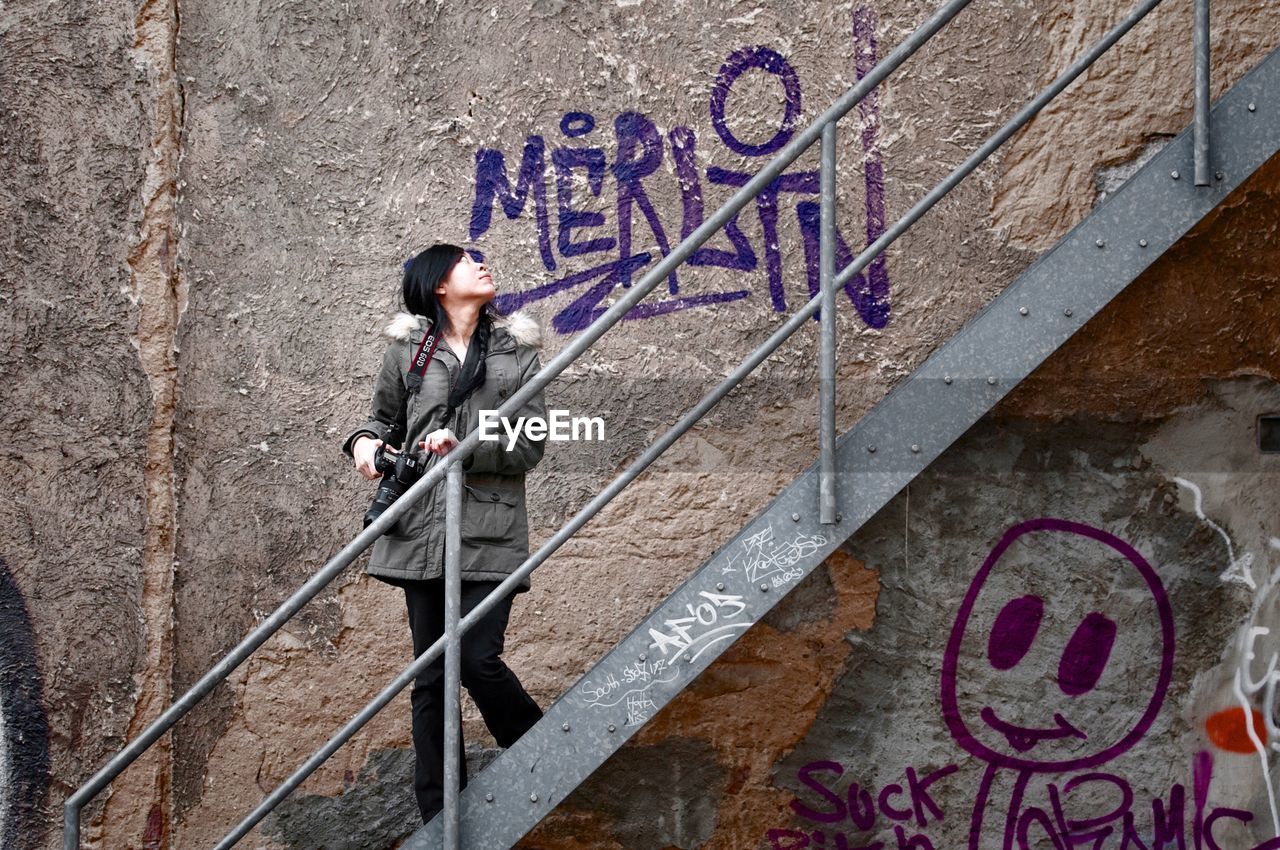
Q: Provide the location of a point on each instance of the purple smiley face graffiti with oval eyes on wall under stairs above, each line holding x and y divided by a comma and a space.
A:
1064, 687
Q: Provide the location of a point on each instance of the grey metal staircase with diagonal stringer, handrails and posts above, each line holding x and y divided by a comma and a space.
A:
854, 477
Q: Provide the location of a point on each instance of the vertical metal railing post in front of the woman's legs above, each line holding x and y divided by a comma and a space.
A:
452, 652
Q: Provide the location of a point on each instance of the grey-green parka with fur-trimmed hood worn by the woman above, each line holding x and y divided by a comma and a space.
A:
495, 522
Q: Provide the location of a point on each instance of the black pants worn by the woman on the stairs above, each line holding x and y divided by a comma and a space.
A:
508, 710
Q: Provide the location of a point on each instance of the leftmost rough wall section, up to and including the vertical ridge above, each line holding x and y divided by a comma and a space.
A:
88, 134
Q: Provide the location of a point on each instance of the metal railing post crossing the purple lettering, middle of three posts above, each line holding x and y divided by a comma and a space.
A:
828, 360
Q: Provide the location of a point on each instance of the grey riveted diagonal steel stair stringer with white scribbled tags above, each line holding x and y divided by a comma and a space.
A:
881, 455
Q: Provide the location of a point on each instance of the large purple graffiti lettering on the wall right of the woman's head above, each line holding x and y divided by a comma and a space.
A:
583, 230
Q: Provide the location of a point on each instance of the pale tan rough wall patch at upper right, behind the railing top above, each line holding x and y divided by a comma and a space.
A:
1139, 93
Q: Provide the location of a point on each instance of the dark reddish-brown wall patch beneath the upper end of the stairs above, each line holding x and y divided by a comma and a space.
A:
1208, 309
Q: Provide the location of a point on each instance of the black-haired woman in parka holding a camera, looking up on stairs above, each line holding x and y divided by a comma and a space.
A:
481, 360
